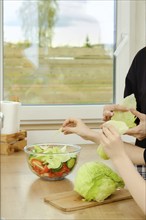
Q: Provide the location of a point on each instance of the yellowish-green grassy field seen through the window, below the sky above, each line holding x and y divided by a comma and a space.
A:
59, 75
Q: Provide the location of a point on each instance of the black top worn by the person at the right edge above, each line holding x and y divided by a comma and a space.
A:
135, 82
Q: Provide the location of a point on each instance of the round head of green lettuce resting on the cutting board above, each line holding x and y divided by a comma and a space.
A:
96, 181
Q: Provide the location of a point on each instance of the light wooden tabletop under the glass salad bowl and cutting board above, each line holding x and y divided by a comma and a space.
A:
22, 194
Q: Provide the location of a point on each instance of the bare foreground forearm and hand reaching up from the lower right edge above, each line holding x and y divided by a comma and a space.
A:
117, 151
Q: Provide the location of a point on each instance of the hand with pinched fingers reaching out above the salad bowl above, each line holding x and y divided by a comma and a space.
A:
77, 126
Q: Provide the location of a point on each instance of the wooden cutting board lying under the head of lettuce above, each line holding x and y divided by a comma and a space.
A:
72, 201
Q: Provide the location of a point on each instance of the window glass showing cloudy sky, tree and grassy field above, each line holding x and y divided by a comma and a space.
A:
59, 51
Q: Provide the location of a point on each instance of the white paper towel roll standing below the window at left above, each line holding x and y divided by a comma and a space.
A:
11, 120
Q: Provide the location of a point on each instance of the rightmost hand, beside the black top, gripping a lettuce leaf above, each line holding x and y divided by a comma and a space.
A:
139, 131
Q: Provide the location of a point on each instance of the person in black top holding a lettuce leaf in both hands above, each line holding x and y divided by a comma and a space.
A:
135, 83
